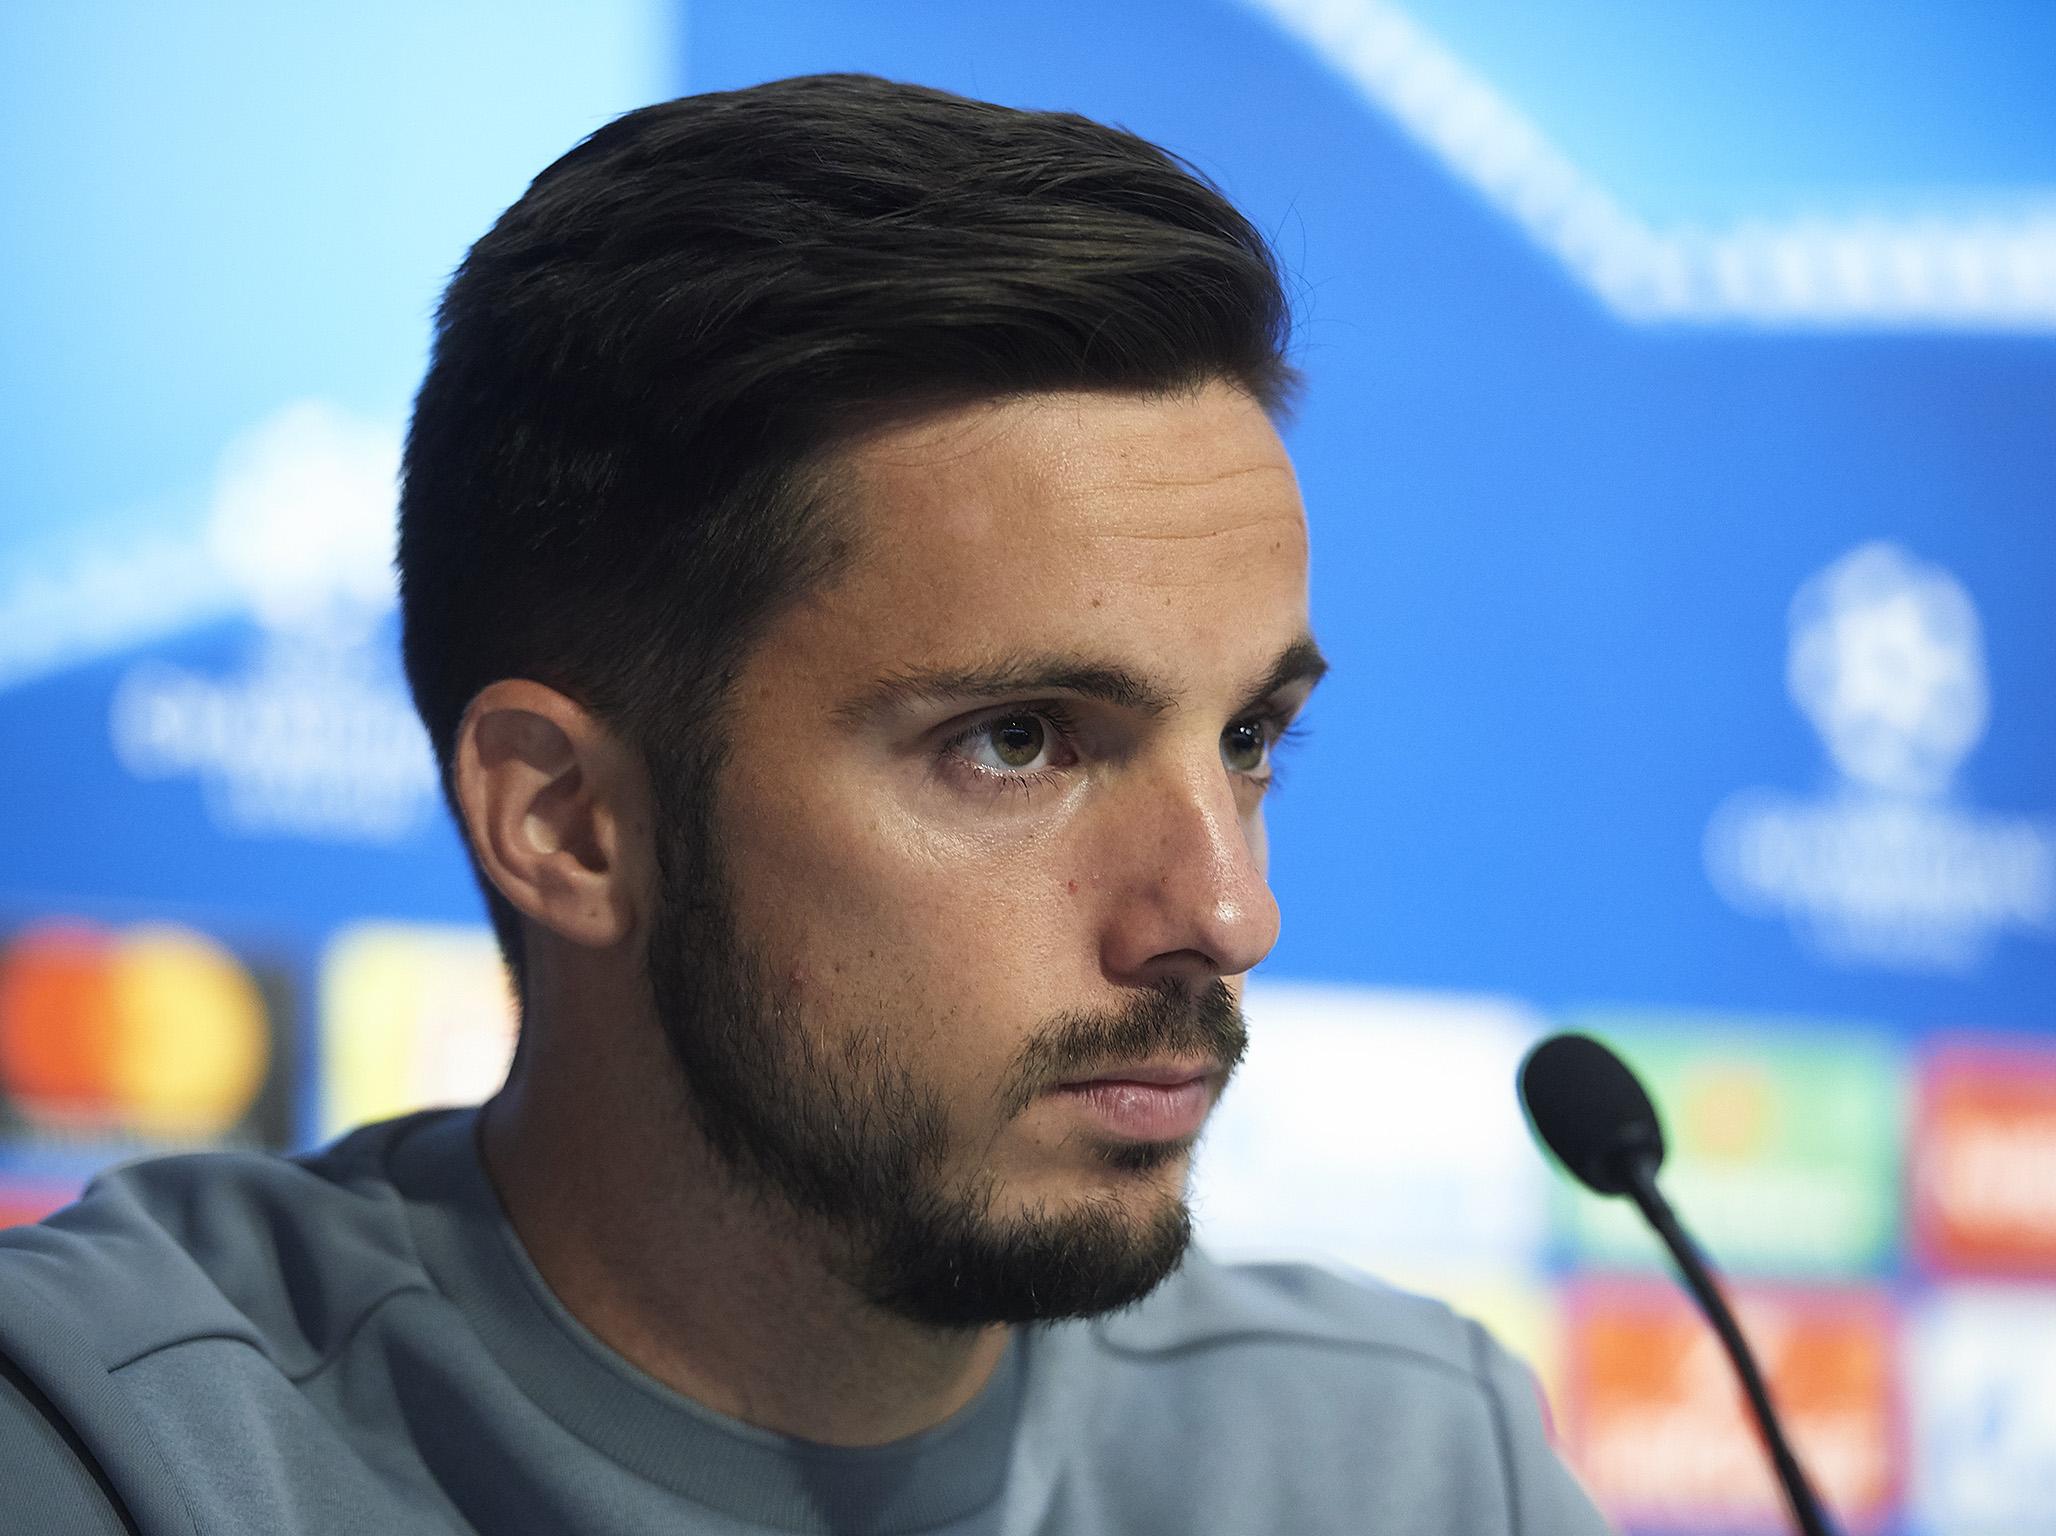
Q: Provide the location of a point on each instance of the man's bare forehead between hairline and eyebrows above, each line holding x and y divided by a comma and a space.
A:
1074, 517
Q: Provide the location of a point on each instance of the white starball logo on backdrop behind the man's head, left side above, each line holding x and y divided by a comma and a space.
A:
314, 735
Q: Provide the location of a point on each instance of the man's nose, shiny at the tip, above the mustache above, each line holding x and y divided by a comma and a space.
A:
1191, 898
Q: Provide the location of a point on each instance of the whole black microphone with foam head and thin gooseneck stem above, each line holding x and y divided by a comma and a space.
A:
1596, 1118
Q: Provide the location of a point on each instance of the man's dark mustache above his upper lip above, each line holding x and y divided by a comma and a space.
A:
1169, 1021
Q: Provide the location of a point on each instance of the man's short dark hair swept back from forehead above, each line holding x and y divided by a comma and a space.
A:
622, 455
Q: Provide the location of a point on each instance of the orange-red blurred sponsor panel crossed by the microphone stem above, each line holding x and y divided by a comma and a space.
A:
1658, 1426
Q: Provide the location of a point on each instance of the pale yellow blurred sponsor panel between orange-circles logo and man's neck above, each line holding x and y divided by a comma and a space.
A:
412, 1017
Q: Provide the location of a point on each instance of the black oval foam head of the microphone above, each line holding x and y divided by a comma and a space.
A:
1590, 1111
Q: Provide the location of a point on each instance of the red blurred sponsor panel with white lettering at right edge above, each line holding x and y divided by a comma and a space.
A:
1985, 1161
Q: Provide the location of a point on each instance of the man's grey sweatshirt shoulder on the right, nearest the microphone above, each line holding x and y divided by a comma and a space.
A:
1307, 1393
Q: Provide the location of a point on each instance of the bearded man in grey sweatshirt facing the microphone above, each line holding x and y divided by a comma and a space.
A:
856, 589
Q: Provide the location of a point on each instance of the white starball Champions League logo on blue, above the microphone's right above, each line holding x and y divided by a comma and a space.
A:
1888, 869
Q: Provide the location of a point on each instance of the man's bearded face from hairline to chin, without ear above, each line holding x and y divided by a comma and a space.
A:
990, 858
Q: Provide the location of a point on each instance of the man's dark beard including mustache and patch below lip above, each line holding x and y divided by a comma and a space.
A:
852, 1138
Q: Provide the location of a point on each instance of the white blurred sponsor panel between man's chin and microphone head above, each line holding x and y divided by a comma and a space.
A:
1376, 1128
